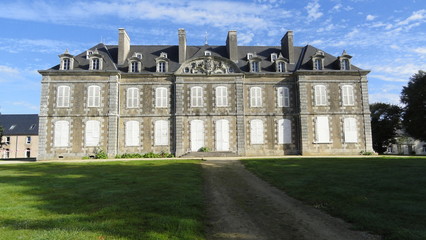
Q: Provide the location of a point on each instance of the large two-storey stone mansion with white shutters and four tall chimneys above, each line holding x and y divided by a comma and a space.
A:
240, 99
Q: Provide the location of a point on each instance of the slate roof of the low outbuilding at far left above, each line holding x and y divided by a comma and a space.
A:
24, 124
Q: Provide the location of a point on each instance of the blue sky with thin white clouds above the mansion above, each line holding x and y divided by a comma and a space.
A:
387, 37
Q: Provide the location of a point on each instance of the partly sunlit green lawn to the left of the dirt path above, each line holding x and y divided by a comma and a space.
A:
114, 200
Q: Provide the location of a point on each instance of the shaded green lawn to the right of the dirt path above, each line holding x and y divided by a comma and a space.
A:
386, 196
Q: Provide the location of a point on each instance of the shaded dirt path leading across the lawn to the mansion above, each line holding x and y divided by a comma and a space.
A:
241, 206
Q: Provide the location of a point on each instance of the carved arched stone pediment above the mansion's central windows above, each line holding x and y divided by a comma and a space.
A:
208, 65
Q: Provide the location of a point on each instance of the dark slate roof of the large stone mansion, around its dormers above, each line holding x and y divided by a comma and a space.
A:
151, 52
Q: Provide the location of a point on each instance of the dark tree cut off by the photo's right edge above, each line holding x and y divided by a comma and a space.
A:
414, 98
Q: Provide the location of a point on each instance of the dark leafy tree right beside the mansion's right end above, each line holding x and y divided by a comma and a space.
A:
385, 121
